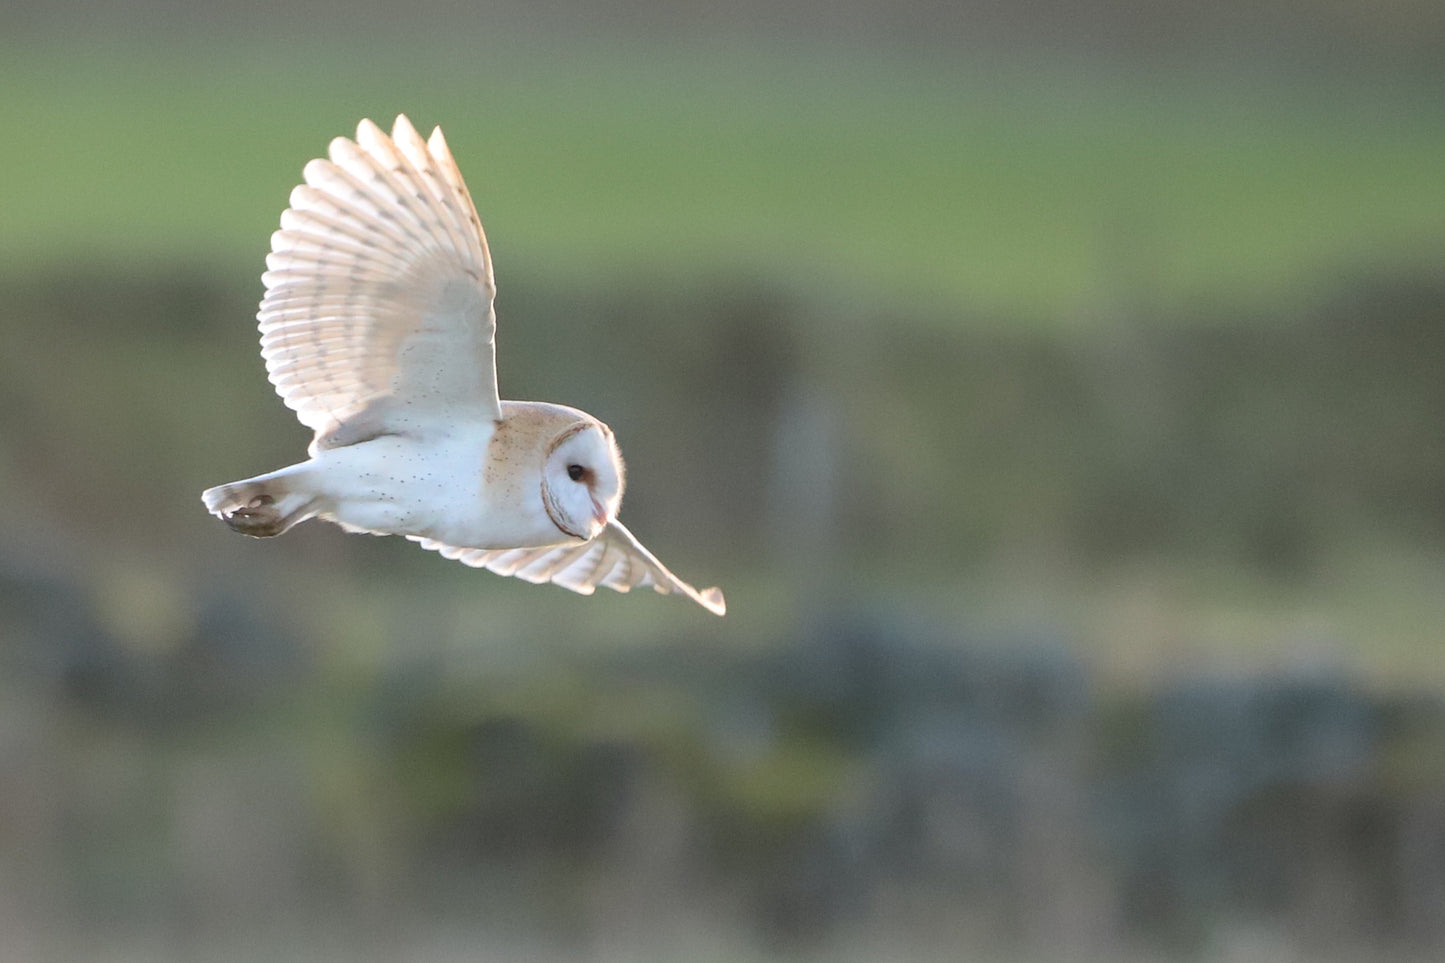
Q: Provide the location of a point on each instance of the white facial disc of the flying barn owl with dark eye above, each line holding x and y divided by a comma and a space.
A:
583, 479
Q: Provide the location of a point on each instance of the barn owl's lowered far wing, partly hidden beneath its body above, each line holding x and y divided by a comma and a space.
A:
615, 559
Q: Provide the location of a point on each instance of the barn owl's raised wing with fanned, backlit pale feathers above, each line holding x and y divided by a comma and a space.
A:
379, 288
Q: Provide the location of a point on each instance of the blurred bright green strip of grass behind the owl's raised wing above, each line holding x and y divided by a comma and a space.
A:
995, 186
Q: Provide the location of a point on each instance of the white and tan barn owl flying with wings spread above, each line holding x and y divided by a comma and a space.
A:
378, 330
